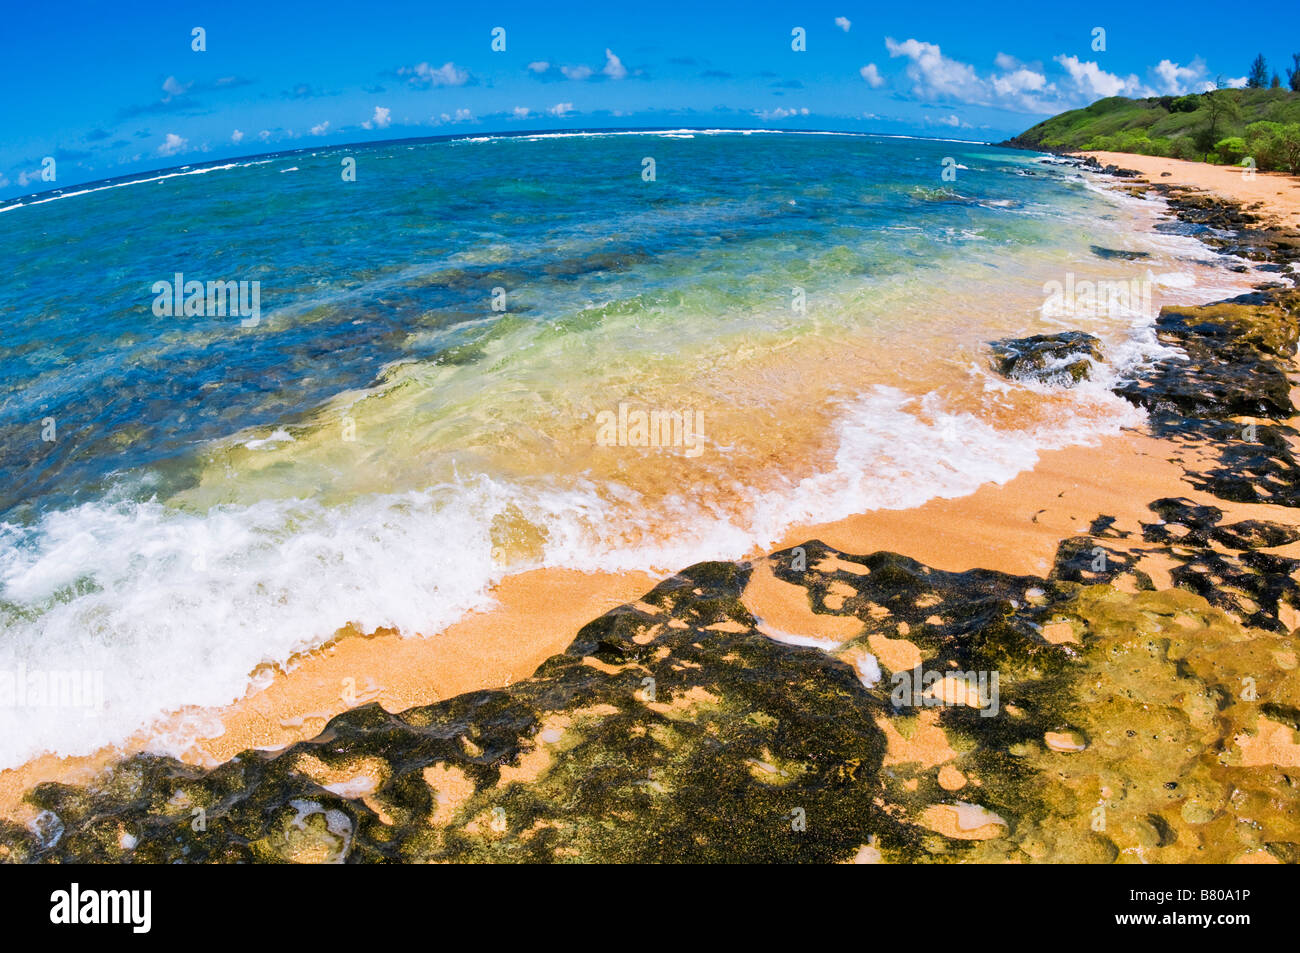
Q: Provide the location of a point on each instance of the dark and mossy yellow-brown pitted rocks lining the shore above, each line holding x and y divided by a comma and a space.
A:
1130, 724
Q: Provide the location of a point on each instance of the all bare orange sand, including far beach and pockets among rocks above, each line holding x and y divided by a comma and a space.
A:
1017, 529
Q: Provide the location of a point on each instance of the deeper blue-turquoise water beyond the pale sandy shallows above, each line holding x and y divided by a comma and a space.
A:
401, 265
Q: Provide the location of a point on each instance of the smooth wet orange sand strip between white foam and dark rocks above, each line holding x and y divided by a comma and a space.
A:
1015, 529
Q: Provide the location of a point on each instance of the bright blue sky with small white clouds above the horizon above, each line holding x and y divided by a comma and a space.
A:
110, 90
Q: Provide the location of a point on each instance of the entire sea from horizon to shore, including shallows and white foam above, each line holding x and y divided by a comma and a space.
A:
384, 445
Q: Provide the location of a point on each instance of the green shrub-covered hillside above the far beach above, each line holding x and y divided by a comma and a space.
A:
1220, 127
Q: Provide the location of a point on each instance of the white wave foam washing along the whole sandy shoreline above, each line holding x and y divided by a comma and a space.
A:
177, 609
